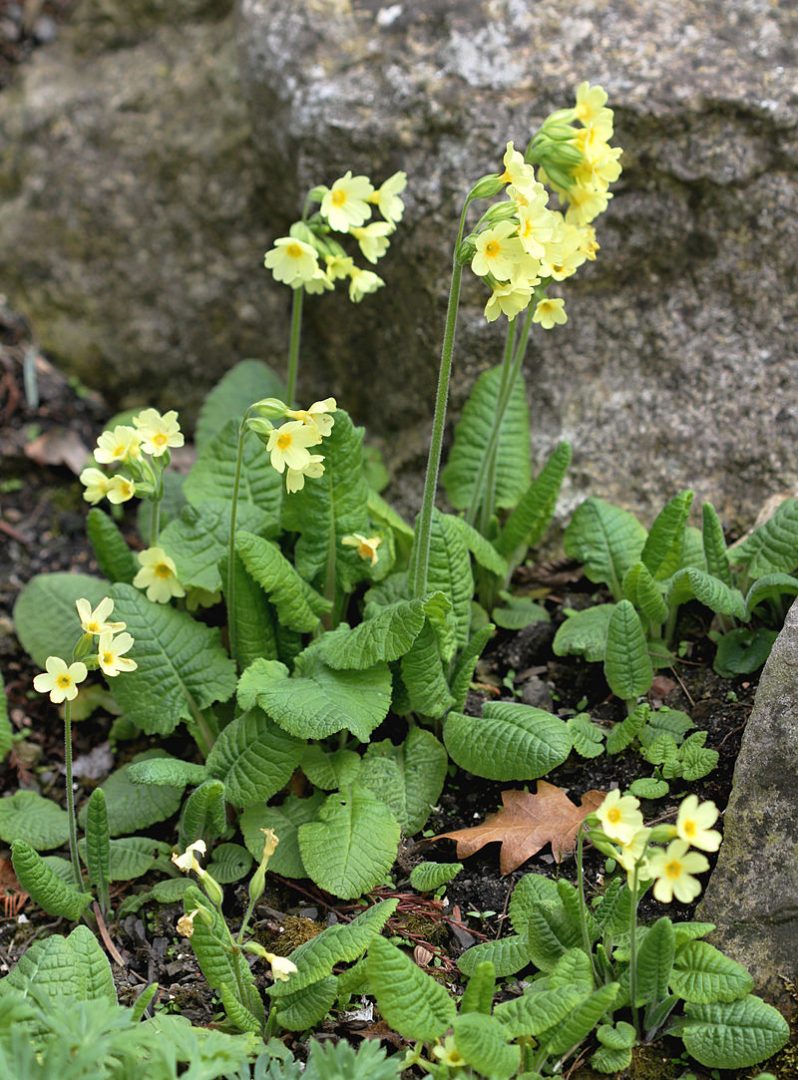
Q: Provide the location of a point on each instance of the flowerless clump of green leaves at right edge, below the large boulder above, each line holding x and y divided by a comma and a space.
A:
651, 575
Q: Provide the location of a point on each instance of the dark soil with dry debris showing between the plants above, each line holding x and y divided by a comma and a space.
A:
43, 529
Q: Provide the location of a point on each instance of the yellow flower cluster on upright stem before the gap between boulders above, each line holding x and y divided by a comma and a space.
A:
312, 259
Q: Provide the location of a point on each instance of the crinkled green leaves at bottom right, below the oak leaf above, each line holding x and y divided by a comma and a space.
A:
685, 988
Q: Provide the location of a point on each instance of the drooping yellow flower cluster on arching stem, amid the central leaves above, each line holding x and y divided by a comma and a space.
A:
289, 445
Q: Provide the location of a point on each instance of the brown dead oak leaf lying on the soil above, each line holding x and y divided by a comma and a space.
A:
526, 823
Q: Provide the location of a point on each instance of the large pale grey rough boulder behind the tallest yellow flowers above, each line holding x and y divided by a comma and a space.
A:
678, 364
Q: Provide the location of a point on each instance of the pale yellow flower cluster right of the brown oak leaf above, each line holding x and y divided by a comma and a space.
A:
671, 869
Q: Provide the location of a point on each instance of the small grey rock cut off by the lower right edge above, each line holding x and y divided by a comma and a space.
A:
753, 893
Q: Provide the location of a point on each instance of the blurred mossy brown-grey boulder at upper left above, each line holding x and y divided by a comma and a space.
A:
130, 223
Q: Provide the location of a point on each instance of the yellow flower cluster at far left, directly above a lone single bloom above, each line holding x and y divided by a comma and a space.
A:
143, 450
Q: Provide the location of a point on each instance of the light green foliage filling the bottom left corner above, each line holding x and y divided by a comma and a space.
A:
60, 1018
